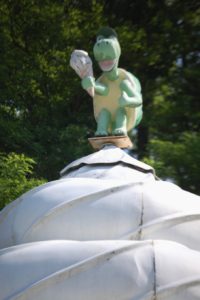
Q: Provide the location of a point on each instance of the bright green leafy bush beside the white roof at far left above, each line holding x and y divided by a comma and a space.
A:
15, 177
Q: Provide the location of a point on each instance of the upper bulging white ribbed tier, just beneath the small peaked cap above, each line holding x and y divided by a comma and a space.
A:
94, 209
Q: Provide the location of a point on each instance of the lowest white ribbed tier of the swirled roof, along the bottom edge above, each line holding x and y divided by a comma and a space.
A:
108, 270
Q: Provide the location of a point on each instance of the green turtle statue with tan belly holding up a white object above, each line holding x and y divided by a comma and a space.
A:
116, 94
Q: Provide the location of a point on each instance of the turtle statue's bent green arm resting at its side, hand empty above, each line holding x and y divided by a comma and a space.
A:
131, 95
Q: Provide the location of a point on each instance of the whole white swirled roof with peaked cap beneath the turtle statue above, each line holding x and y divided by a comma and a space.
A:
106, 200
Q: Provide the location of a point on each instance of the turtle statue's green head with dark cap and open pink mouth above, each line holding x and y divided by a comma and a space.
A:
107, 49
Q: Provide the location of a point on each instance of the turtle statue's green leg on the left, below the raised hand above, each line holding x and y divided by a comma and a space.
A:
103, 122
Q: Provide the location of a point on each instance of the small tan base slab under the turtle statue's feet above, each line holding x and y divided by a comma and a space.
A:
122, 141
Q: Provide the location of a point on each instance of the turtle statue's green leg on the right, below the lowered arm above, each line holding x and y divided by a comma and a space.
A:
120, 125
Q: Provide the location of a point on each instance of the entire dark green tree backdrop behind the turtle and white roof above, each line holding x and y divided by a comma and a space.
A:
45, 116
